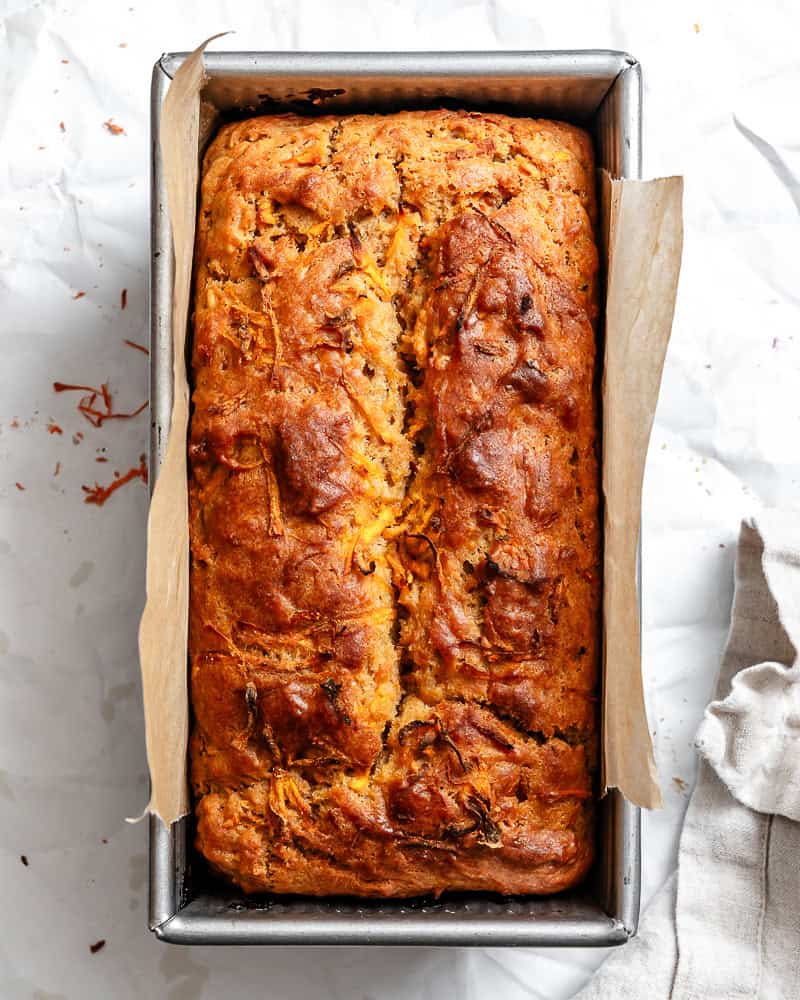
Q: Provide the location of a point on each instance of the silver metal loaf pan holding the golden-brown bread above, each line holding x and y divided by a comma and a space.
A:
599, 89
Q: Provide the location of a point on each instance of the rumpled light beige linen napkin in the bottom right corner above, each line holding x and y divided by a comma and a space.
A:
727, 924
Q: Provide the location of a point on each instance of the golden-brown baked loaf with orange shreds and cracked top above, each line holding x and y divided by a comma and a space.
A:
394, 505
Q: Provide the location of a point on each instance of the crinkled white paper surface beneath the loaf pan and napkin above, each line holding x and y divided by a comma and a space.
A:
721, 97
